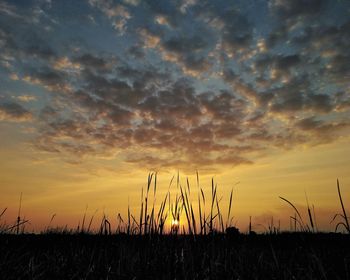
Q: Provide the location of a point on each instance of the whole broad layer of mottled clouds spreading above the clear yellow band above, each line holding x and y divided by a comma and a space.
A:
184, 83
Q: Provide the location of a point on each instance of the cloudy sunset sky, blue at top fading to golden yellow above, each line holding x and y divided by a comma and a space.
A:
96, 94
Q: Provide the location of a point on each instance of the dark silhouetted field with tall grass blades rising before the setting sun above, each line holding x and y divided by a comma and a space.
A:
204, 245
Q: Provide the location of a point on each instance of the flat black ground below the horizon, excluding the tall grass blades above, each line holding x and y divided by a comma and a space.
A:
283, 256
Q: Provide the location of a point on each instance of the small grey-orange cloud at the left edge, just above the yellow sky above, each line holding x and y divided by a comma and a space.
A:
14, 112
